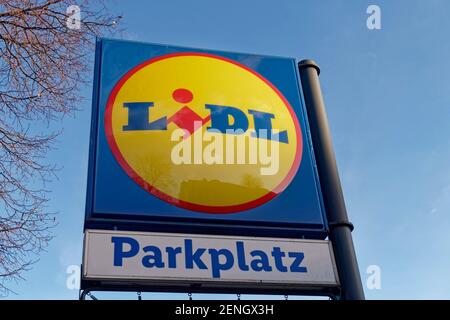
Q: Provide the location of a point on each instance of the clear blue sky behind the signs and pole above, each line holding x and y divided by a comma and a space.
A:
388, 102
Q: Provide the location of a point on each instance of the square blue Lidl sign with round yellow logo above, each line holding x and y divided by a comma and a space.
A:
200, 141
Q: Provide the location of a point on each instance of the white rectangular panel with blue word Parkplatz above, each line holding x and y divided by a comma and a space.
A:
121, 255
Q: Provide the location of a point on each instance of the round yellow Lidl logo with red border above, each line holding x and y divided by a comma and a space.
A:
203, 132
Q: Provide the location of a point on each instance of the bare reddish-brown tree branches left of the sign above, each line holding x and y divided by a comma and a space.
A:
43, 64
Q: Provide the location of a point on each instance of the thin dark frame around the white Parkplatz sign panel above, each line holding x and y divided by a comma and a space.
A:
134, 283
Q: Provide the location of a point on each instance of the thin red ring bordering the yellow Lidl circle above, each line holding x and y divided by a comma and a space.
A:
184, 204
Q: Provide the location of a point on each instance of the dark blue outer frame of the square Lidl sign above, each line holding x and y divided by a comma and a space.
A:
193, 225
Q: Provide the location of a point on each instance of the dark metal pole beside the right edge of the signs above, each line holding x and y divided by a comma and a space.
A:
339, 225
